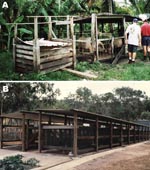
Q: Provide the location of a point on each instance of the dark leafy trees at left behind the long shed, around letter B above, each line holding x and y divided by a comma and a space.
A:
27, 96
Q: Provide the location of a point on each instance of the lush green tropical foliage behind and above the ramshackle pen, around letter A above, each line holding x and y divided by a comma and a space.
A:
18, 10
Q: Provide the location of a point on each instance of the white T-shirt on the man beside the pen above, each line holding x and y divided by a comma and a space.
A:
134, 31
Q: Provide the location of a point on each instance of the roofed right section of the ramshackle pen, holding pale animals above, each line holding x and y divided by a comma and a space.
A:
106, 33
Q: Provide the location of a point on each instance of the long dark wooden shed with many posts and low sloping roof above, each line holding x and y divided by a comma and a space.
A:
67, 130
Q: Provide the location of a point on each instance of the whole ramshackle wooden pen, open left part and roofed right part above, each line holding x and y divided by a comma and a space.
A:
99, 37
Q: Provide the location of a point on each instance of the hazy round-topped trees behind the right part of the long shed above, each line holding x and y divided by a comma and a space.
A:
124, 103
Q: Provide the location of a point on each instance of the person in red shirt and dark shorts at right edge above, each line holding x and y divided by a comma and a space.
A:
145, 33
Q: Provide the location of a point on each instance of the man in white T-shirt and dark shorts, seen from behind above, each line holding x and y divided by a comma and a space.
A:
133, 39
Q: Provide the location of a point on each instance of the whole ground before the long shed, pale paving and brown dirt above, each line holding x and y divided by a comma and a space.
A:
132, 157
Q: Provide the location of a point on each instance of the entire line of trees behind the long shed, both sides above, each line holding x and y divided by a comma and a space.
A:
124, 103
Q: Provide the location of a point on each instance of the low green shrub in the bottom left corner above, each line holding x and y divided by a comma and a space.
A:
16, 163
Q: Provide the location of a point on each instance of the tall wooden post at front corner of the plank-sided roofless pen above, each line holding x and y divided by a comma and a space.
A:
36, 47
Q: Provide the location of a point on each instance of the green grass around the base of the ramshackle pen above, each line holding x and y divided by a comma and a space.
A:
137, 71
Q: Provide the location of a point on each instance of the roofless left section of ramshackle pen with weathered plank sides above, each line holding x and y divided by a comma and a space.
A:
44, 53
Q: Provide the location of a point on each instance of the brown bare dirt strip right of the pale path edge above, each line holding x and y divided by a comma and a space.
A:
131, 158
